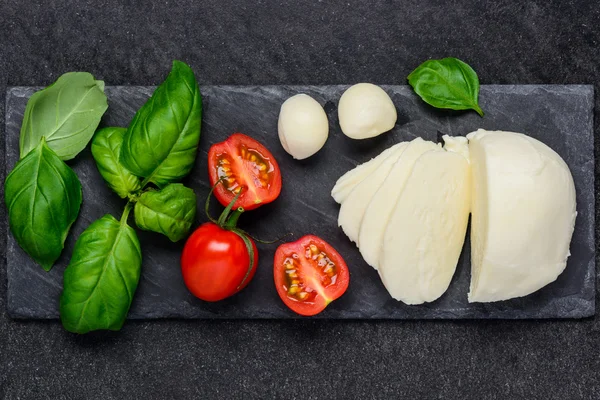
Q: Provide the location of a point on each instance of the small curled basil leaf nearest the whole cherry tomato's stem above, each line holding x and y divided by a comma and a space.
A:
170, 211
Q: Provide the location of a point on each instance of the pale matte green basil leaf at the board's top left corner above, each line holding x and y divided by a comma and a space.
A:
66, 113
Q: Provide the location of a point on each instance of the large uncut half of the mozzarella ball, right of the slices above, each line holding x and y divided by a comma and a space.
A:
523, 215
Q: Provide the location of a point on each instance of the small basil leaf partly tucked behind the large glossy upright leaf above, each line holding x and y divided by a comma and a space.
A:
106, 147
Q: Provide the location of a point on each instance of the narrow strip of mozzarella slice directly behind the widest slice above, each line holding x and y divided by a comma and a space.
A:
384, 201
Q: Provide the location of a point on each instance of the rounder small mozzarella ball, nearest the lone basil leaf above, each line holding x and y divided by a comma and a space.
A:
366, 111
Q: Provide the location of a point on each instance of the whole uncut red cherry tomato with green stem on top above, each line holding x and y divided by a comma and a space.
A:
215, 263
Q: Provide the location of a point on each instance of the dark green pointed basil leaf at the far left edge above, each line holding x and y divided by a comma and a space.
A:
43, 196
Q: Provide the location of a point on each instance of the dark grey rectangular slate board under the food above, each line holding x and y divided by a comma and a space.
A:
560, 116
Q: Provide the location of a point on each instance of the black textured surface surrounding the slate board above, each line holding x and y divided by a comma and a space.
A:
289, 41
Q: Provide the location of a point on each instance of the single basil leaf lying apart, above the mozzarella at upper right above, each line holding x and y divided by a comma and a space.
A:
447, 83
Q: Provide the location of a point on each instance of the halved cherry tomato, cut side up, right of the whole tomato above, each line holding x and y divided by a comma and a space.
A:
309, 274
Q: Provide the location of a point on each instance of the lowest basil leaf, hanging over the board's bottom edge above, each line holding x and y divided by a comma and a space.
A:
102, 277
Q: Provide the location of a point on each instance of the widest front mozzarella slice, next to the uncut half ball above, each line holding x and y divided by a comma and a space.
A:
427, 228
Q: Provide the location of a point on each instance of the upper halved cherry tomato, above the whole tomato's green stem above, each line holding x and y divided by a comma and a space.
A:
243, 162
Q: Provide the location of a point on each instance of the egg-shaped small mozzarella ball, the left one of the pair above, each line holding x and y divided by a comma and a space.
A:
303, 126
